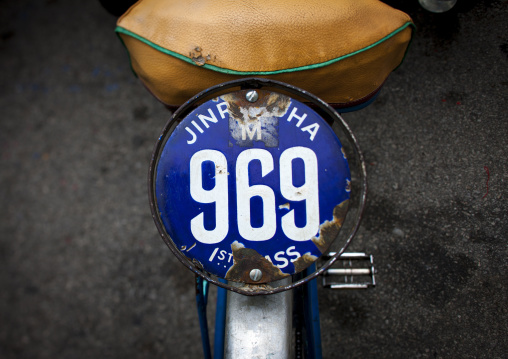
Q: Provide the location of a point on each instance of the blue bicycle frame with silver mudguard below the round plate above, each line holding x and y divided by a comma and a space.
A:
263, 326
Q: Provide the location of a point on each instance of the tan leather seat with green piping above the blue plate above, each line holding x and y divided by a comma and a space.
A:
339, 50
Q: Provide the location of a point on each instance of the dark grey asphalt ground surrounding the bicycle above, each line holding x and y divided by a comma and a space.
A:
84, 273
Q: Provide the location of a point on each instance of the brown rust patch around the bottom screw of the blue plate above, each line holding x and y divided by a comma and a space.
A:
245, 260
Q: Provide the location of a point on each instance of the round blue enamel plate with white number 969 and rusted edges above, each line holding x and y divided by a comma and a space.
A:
252, 186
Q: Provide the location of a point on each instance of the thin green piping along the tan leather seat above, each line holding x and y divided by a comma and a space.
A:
250, 73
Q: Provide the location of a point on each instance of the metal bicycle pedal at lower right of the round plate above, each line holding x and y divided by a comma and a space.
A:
356, 268
